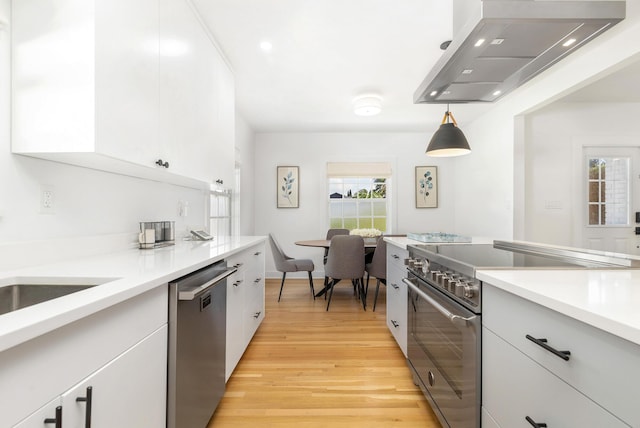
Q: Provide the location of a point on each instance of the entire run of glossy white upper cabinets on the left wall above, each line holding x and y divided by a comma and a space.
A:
118, 85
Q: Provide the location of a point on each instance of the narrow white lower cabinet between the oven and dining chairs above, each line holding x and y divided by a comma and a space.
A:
397, 295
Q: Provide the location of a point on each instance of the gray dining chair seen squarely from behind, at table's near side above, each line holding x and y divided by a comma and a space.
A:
346, 261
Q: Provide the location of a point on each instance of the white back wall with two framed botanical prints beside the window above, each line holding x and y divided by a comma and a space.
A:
311, 152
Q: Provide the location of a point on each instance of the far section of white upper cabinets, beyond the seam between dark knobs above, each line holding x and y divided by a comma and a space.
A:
194, 119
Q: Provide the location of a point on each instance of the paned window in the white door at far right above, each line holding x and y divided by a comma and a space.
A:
608, 190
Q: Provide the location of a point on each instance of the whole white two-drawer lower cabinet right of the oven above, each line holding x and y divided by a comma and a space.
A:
595, 385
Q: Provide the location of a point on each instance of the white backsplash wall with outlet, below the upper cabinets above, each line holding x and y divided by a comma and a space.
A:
88, 203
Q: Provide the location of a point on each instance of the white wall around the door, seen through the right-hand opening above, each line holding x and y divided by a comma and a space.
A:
551, 172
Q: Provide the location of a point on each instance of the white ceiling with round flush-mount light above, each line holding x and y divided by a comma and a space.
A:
326, 53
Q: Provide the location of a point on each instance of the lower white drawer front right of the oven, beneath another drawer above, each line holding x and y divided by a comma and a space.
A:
514, 387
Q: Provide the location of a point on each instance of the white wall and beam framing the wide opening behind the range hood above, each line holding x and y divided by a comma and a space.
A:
485, 188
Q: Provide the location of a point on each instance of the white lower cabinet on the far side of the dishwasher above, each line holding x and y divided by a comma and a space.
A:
245, 302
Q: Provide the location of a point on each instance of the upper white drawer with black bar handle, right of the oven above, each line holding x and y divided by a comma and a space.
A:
601, 365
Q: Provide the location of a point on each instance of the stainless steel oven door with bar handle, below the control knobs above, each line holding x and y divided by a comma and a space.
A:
443, 347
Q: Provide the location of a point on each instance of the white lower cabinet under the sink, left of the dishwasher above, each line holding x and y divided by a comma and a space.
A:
121, 352
